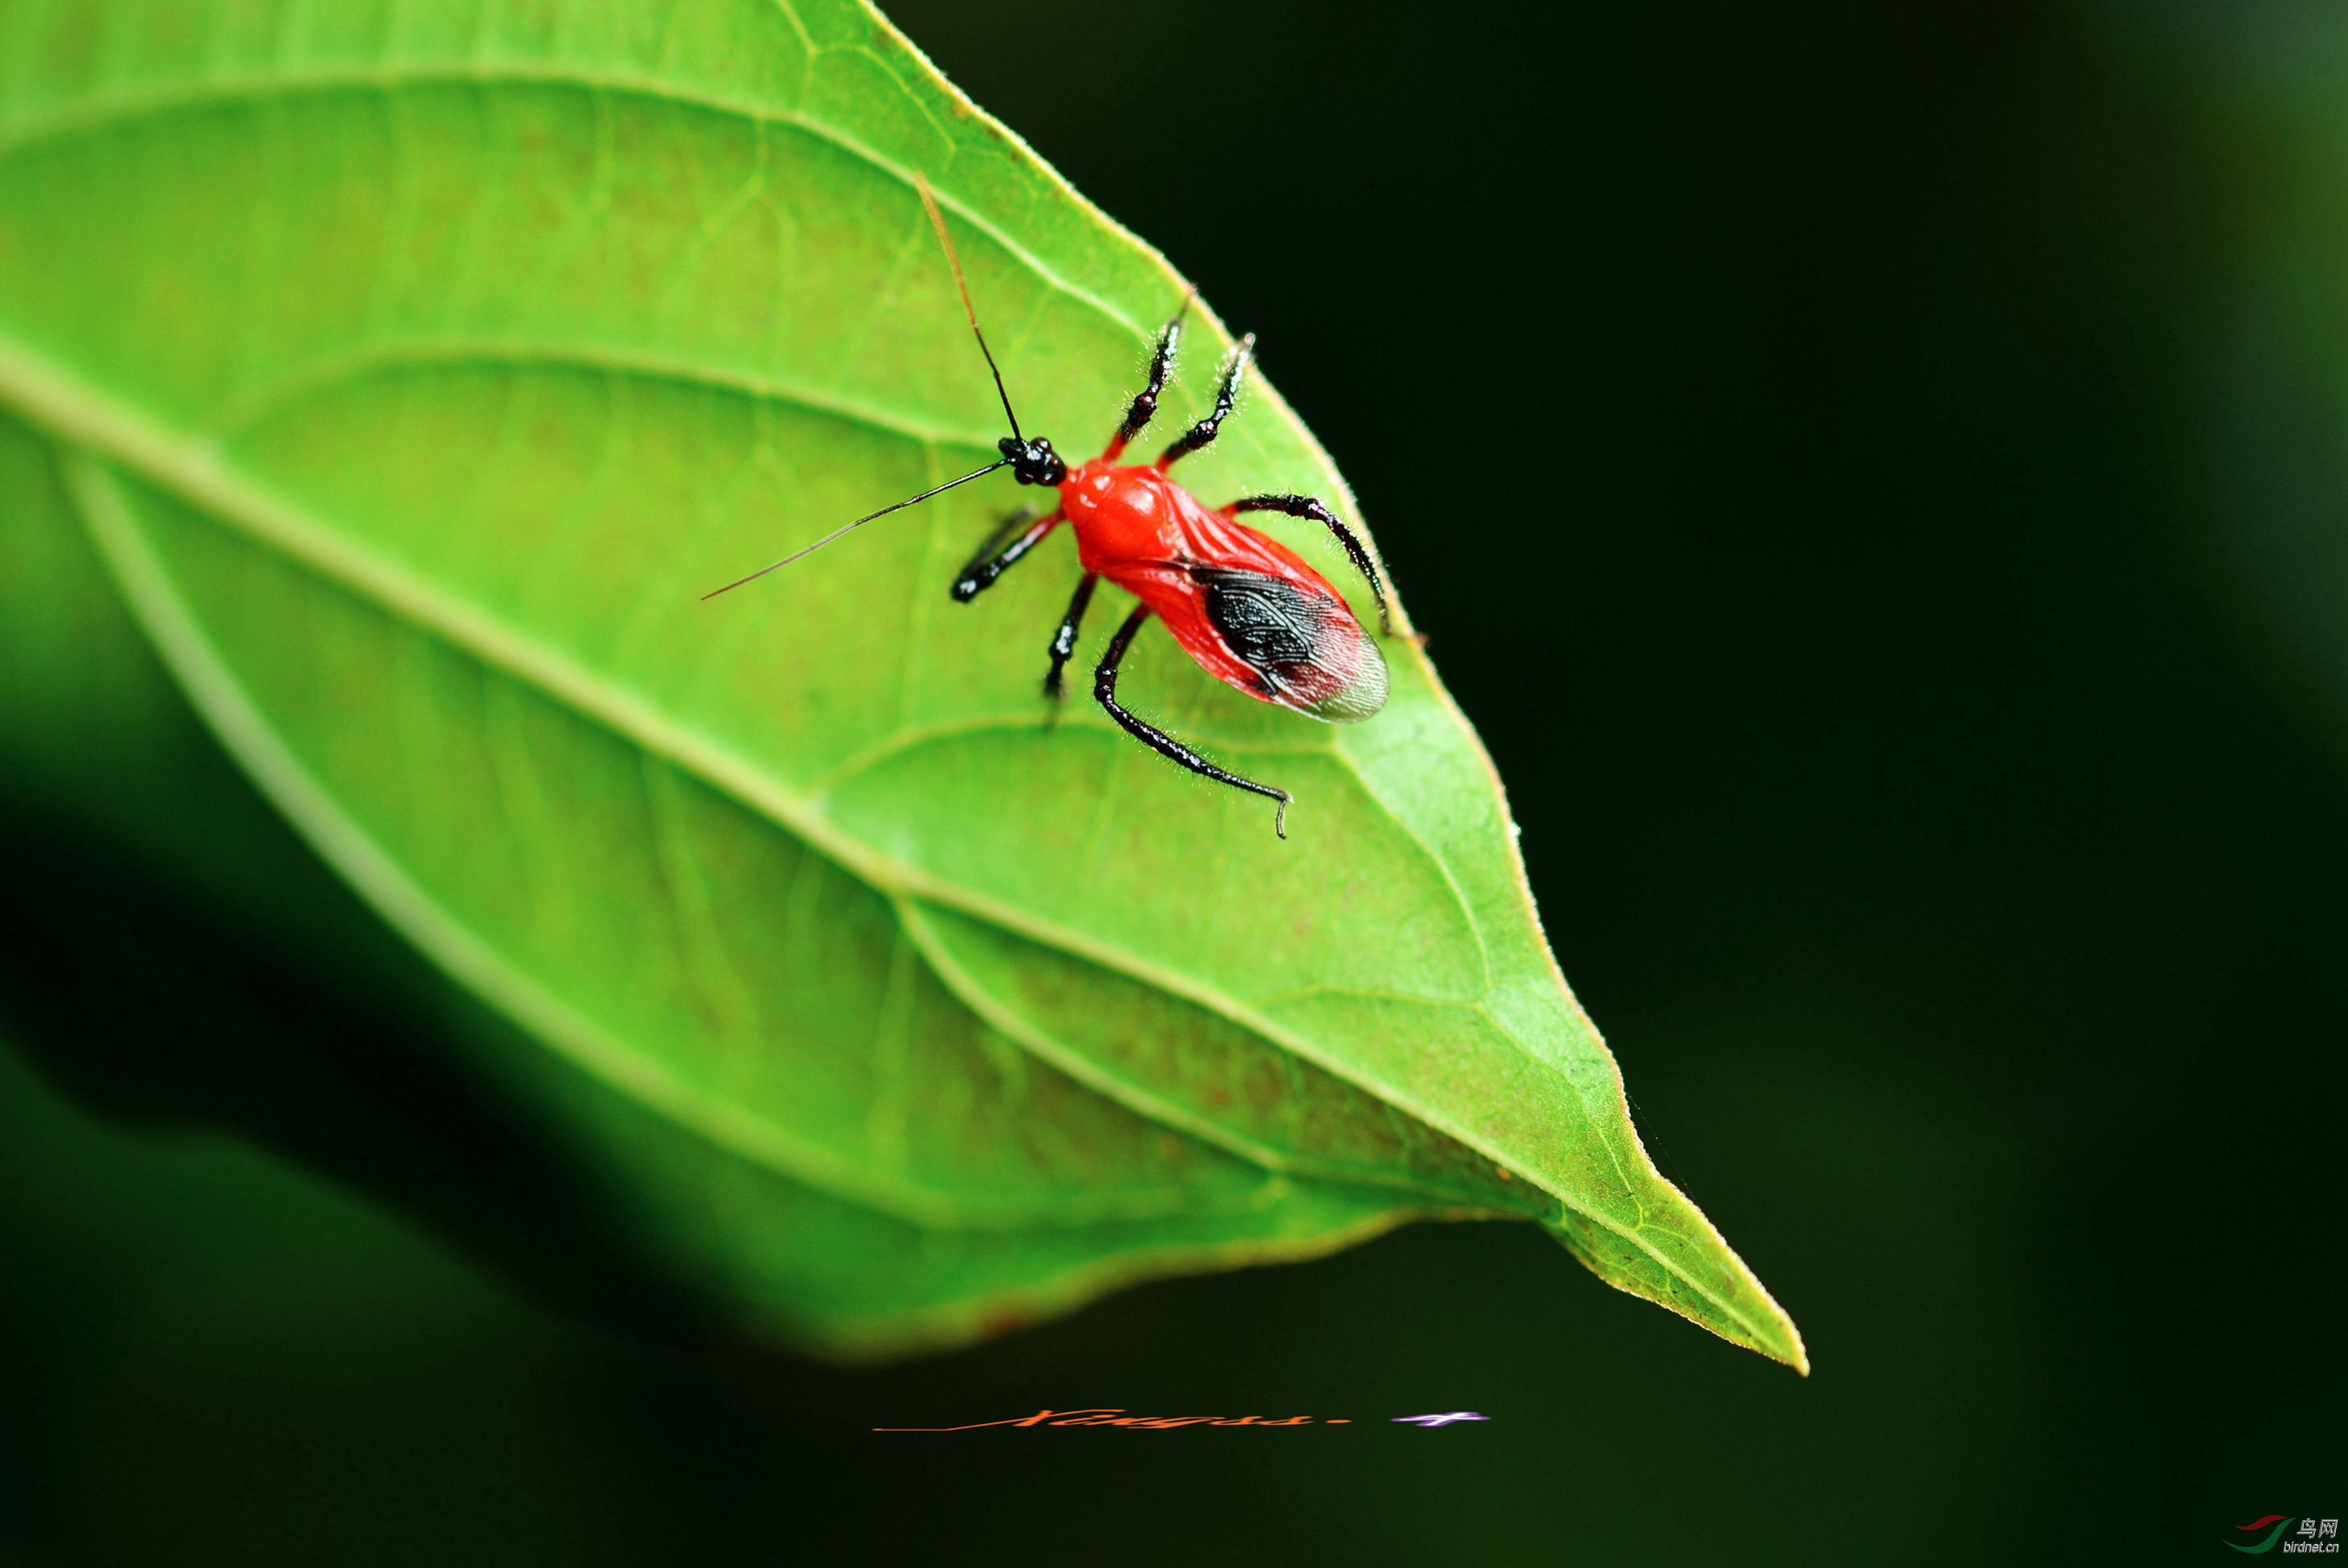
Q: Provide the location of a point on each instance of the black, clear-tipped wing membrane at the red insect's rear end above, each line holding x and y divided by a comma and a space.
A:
1307, 649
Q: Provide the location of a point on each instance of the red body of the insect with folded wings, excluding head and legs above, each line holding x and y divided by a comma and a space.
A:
1246, 607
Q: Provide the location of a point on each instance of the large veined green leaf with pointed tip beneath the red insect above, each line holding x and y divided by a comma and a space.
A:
417, 367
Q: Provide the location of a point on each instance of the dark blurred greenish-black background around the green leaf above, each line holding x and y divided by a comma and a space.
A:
1795, 428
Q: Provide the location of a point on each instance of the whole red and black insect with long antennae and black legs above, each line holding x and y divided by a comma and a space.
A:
1239, 602
